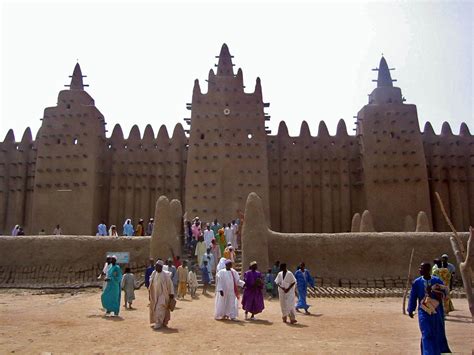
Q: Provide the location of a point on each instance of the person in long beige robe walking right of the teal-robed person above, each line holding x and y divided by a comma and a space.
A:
161, 291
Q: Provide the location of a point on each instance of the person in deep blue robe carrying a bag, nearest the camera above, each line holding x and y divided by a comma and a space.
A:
428, 291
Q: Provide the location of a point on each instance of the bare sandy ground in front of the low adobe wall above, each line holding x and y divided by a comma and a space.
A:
74, 322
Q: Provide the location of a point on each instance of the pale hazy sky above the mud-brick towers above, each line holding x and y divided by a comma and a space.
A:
314, 59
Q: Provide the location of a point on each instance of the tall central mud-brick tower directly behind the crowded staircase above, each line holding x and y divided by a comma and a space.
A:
227, 156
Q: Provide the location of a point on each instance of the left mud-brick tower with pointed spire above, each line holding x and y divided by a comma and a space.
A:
68, 184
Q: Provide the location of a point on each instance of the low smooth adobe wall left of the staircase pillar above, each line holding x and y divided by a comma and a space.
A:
64, 261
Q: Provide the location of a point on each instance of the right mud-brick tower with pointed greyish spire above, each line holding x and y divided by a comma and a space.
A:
393, 159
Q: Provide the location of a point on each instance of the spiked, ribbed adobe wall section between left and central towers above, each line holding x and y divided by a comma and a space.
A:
142, 169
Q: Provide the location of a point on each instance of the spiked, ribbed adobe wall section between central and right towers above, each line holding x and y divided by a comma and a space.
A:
315, 182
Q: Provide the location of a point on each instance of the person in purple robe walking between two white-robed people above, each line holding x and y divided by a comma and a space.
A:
252, 301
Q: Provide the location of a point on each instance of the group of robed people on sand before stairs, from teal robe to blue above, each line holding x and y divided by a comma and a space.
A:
171, 280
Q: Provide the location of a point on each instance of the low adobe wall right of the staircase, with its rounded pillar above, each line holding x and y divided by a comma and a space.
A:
343, 256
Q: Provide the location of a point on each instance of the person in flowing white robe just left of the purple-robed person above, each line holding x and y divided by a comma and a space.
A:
227, 293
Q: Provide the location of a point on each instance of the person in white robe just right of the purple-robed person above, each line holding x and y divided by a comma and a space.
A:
286, 281
